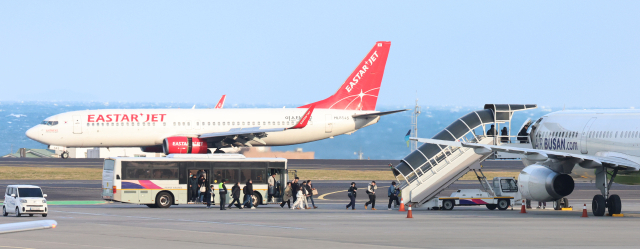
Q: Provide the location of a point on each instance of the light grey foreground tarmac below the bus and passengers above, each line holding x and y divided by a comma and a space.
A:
329, 226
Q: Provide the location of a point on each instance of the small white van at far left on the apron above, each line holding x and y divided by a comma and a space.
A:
24, 199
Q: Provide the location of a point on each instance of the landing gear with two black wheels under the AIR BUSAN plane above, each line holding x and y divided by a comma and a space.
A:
605, 201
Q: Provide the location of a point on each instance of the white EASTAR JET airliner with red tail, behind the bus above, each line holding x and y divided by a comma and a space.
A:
351, 108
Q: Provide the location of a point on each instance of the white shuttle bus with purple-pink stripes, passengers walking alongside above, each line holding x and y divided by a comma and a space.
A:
162, 182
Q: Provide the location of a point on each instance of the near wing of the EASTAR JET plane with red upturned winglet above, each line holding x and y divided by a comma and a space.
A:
255, 133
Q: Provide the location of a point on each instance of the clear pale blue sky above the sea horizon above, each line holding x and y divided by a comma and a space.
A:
553, 53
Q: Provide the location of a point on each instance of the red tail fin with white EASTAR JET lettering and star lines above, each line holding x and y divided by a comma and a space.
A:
360, 90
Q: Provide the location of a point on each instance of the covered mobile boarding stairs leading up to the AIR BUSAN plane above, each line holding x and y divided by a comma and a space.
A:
430, 169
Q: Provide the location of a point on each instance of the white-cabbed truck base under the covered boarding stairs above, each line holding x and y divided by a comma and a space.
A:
501, 193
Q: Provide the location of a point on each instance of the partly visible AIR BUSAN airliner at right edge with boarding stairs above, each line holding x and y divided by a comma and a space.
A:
606, 142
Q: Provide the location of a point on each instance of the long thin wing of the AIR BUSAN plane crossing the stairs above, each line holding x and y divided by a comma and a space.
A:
585, 161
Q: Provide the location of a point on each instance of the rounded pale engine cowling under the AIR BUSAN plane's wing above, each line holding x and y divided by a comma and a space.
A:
540, 183
